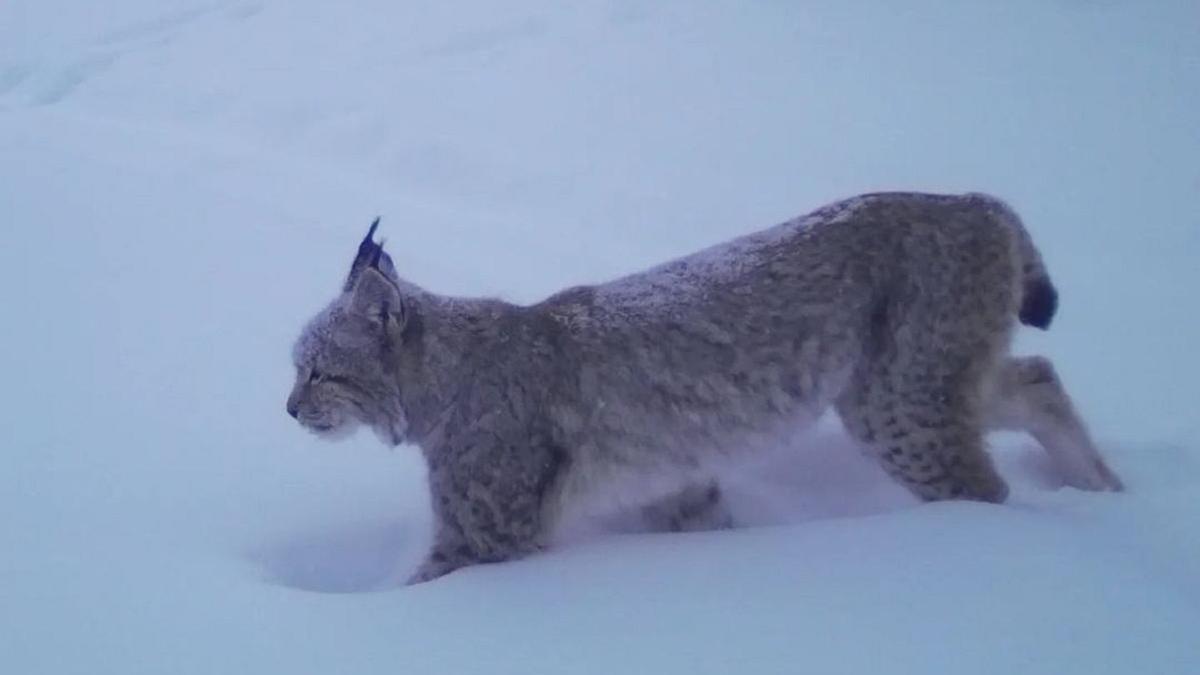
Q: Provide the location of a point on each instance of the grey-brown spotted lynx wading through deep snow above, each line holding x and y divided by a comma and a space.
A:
896, 310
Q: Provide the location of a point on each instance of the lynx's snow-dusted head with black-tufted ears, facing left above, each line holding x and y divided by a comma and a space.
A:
346, 357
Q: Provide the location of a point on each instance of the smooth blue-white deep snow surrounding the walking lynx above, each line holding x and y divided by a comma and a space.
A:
184, 183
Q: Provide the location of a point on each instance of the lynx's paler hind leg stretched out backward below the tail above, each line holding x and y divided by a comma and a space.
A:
1030, 397
